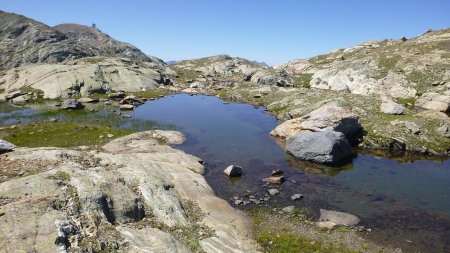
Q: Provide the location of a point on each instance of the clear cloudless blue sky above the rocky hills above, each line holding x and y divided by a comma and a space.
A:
263, 30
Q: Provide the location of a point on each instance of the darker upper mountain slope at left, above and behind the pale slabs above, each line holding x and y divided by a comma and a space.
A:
24, 41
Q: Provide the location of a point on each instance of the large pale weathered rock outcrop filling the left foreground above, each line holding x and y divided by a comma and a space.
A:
132, 195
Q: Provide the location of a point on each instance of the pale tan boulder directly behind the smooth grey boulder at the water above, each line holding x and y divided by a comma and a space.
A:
330, 117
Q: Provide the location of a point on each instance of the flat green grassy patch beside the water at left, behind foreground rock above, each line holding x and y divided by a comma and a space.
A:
61, 134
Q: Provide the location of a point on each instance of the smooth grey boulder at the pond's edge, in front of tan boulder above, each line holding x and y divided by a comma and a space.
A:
329, 147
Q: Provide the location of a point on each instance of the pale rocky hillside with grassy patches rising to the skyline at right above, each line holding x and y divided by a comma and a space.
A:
404, 69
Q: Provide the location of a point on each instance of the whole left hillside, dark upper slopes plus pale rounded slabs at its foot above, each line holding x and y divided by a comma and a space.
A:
71, 60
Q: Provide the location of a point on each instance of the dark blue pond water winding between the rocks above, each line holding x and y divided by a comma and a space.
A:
406, 202
